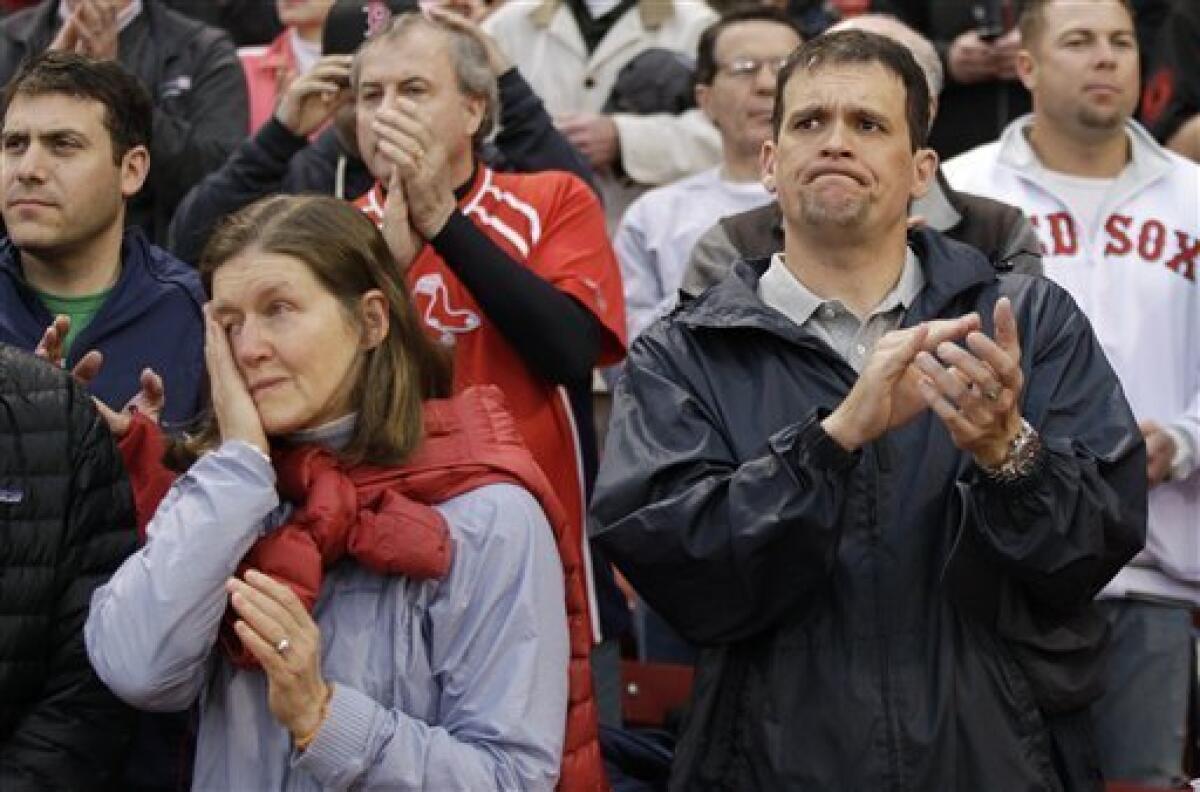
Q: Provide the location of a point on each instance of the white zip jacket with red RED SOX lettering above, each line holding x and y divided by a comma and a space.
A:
1136, 277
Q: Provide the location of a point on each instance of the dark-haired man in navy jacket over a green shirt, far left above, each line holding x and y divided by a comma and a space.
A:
75, 151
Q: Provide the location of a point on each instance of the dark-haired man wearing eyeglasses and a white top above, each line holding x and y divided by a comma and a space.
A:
737, 63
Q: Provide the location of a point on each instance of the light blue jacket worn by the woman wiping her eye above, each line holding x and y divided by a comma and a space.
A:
441, 686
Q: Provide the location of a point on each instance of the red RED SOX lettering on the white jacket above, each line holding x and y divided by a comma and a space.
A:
1151, 241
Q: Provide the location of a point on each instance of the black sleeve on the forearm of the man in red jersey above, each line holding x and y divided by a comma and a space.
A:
556, 337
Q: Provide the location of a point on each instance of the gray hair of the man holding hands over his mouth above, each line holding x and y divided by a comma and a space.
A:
472, 69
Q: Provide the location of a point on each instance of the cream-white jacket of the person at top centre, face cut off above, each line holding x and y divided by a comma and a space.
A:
545, 44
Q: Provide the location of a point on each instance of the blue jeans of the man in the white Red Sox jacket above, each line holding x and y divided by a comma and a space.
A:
1142, 718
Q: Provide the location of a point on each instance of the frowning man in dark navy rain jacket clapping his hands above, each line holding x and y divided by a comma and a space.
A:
878, 482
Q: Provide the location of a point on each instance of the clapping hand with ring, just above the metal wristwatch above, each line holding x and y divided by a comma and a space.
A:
977, 392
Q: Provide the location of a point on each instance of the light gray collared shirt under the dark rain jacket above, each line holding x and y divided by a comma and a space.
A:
833, 322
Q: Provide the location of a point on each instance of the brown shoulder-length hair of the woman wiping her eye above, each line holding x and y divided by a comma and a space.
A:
349, 257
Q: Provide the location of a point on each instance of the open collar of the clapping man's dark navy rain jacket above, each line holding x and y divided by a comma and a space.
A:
951, 269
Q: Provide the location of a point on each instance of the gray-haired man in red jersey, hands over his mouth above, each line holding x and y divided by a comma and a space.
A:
514, 273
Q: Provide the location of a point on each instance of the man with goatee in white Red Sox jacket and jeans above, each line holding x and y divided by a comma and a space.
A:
1120, 224
